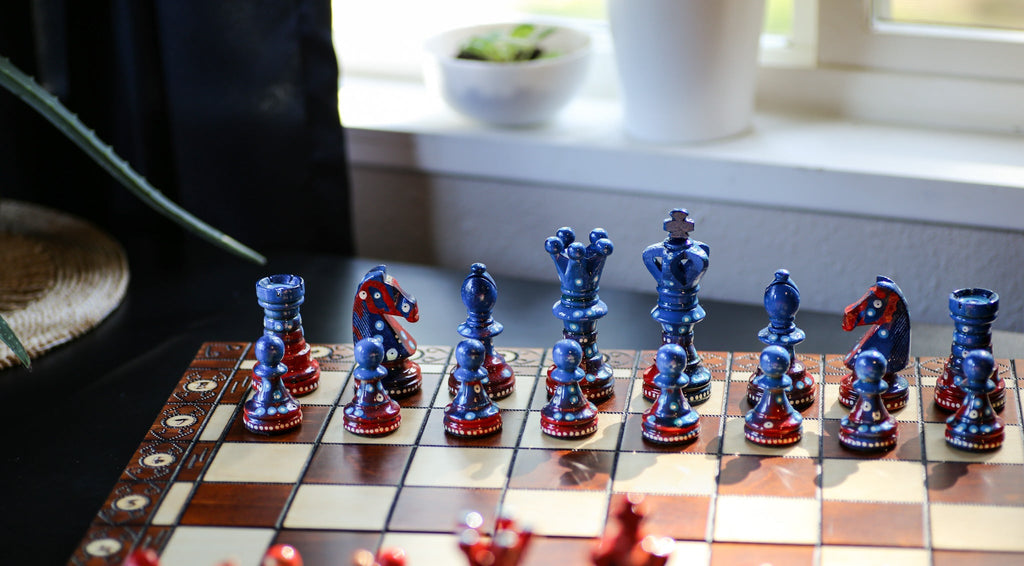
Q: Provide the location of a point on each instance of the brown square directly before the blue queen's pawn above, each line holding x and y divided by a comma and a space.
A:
563, 469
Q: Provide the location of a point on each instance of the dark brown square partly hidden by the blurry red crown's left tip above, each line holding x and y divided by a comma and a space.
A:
442, 509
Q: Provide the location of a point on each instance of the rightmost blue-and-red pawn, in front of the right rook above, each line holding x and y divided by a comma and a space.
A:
975, 427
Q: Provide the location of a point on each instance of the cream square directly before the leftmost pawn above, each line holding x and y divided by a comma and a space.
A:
270, 463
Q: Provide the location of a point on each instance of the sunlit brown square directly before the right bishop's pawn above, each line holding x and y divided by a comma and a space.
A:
769, 476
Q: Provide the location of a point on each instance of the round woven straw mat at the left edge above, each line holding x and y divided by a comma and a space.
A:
62, 277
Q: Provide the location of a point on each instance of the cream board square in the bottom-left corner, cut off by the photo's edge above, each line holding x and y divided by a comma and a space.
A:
192, 546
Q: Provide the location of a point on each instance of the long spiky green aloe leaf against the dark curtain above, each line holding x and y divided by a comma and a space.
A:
50, 108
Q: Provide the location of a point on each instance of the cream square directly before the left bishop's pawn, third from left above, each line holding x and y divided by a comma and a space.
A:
463, 467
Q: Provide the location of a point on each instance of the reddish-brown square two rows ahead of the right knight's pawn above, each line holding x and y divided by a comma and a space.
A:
873, 525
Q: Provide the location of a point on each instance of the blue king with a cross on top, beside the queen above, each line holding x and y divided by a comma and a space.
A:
678, 265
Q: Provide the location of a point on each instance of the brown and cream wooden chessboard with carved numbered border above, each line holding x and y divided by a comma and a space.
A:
201, 489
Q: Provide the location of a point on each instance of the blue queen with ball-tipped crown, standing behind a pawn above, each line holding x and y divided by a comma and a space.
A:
580, 309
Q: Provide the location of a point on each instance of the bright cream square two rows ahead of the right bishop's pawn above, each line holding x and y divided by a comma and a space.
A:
746, 519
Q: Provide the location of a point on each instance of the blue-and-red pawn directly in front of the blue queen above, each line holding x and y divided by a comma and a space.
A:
569, 413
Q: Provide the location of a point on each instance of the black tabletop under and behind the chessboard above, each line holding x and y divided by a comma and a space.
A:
82, 411
